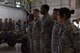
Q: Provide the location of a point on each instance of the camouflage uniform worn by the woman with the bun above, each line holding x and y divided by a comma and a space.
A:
69, 39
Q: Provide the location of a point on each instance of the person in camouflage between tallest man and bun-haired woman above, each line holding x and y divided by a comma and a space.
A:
54, 38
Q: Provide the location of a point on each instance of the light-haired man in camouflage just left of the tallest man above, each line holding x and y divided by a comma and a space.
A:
36, 31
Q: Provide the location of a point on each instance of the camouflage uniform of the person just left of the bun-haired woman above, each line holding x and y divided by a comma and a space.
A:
55, 38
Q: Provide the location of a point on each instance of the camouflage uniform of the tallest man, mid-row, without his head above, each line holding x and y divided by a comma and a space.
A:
46, 30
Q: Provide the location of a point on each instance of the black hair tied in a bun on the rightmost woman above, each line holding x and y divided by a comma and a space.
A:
64, 11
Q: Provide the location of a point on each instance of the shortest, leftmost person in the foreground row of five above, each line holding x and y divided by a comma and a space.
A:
30, 28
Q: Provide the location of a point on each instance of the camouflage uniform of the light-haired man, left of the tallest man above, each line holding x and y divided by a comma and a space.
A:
36, 35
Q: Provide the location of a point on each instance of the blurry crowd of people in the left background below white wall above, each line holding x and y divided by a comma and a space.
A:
11, 25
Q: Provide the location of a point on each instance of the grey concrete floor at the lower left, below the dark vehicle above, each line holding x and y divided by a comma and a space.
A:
4, 48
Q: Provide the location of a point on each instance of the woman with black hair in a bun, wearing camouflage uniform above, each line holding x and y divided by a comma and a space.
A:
69, 37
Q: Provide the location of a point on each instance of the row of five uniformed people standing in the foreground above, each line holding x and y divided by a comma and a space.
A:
52, 34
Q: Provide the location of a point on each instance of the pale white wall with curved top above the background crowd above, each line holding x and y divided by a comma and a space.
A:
14, 13
